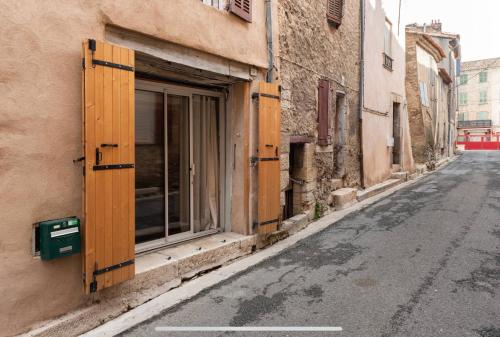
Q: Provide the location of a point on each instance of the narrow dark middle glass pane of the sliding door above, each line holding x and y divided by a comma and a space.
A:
178, 164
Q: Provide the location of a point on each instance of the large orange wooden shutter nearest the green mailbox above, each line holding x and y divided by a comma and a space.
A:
109, 202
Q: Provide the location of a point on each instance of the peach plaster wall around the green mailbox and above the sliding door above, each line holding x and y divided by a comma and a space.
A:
40, 124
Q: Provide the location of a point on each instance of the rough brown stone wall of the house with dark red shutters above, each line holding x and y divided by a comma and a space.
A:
312, 49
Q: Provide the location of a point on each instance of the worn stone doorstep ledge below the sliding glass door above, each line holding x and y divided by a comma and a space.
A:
156, 273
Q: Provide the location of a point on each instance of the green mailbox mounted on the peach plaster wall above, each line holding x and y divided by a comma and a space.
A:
60, 237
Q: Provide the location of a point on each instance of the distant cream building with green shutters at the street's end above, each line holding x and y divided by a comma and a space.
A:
479, 98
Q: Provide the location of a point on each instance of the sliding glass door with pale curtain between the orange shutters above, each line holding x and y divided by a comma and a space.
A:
178, 163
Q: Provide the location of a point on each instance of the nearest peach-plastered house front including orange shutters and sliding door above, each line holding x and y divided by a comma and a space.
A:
168, 101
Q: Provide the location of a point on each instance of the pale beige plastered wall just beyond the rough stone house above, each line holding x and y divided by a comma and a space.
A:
382, 87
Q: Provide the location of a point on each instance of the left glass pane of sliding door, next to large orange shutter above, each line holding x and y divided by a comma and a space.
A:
150, 166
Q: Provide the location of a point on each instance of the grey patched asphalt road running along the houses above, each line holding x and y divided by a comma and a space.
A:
422, 262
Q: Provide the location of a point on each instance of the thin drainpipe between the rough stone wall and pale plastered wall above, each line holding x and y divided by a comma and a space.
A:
361, 88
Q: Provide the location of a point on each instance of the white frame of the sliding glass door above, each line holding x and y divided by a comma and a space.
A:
187, 91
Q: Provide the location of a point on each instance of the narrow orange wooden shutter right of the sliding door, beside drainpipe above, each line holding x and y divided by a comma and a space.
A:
269, 209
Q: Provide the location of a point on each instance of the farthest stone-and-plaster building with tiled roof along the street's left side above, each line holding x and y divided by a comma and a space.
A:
430, 57
